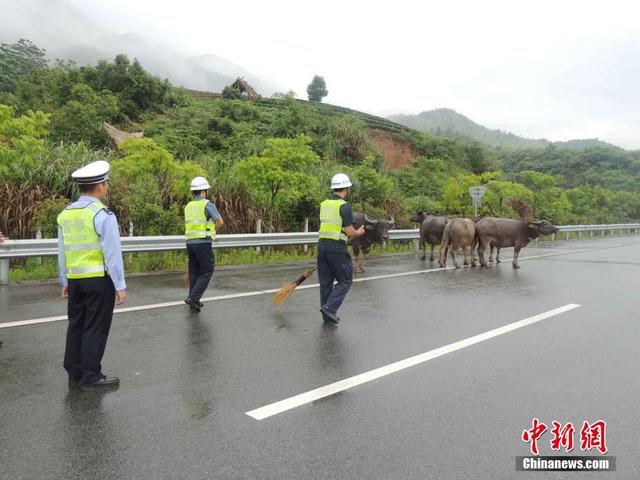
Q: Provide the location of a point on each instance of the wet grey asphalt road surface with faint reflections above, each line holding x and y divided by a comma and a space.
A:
187, 380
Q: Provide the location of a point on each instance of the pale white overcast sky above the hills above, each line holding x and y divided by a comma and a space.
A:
552, 69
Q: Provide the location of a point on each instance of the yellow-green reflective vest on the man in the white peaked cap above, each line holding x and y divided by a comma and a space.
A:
81, 243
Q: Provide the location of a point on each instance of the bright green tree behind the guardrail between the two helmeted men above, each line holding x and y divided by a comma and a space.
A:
280, 174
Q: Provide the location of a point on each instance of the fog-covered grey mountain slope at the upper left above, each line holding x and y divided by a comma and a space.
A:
69, 31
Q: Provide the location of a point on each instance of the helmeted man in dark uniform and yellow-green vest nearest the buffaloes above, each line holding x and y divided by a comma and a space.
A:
334, 261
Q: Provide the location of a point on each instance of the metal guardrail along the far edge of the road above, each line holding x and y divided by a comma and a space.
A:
14, 249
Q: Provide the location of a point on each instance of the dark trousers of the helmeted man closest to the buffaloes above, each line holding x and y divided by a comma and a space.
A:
334, 264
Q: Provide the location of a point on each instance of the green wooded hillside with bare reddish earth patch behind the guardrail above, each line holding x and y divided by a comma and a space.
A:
267, 158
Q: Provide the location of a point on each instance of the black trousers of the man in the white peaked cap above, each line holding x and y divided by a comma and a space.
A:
90, 310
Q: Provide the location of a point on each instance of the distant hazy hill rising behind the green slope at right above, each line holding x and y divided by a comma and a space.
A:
449, 123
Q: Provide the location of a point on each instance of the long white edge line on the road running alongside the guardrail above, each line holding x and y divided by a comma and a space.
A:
139, 308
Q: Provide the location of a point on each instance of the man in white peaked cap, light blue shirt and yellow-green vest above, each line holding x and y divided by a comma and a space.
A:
92, 276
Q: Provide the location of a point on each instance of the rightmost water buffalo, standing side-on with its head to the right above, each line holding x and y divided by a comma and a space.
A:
507, 232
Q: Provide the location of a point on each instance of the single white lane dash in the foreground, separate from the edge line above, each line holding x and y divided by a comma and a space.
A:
331, 389
